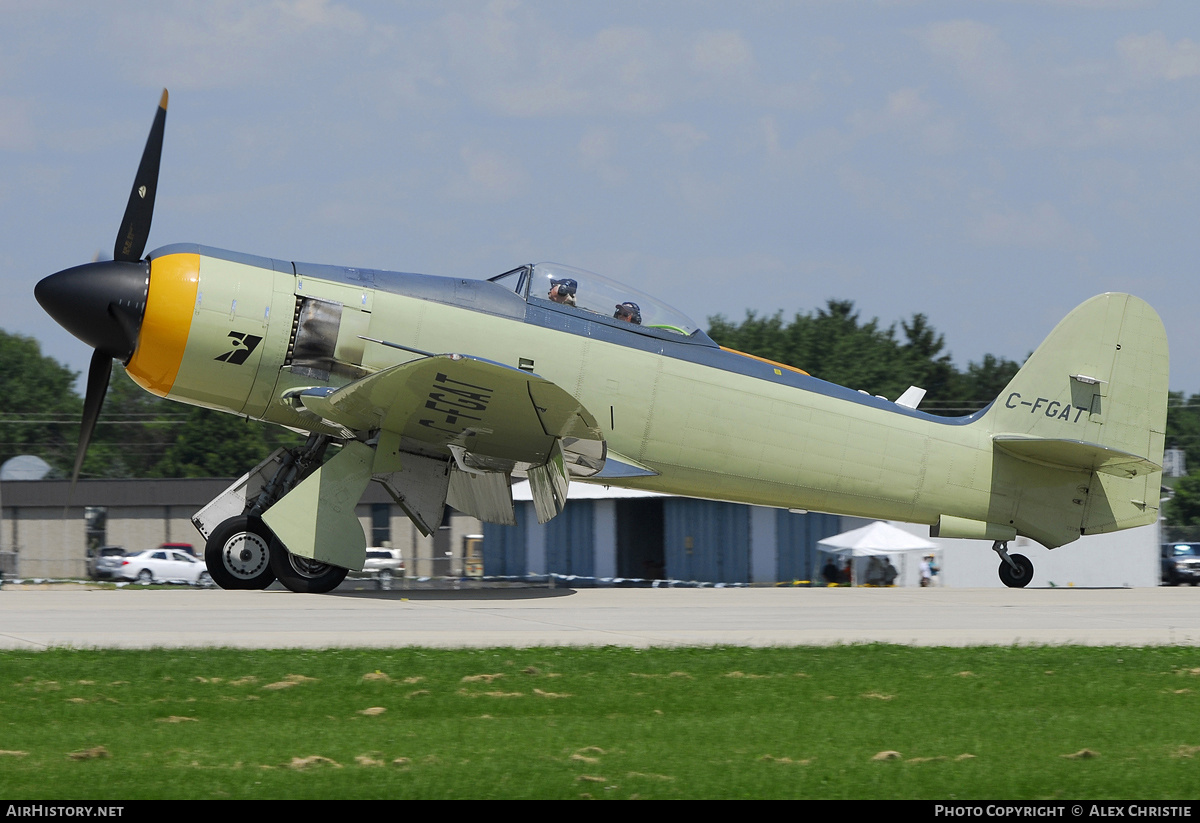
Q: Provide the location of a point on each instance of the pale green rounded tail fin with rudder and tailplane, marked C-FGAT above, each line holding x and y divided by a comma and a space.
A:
1091, 401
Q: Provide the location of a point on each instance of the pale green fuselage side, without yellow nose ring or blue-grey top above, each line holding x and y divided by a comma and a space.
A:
707, 432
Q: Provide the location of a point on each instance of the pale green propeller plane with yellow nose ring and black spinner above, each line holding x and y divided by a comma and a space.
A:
445, 389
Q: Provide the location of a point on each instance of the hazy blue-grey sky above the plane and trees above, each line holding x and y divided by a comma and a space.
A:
991, 165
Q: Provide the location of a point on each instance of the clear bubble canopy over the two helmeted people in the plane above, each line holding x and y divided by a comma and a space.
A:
596, 295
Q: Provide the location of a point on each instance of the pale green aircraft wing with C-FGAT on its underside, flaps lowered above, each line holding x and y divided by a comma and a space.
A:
493, 419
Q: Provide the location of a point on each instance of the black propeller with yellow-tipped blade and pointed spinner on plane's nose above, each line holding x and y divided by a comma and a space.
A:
103, 304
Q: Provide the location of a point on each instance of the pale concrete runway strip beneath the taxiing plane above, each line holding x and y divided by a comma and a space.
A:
523, 617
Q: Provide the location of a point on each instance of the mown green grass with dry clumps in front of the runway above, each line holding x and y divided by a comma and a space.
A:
856, 722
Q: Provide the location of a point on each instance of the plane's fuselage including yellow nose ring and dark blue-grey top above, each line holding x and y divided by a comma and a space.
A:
711, 423
